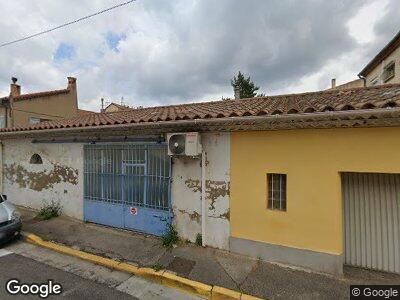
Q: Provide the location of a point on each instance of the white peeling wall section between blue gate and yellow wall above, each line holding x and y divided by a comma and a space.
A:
186, 192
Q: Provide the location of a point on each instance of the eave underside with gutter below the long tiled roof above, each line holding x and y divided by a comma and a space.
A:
343, 119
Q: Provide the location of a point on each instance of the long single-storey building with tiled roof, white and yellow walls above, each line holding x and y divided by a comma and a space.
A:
309, 180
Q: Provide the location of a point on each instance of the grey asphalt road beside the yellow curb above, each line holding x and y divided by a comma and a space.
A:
79, 279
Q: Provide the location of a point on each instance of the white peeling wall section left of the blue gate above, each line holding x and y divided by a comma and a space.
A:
59, 178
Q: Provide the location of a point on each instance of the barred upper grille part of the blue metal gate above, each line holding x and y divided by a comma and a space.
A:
134, 175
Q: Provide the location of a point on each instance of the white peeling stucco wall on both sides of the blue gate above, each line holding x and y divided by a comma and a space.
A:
60, 178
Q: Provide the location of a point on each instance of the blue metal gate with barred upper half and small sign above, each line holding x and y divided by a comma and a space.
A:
128, 186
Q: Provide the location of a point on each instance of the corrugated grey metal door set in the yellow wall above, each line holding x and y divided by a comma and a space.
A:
372, 220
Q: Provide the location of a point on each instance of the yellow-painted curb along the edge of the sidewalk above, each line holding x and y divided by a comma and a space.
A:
163, 277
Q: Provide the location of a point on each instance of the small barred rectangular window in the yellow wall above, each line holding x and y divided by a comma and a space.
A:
276, 191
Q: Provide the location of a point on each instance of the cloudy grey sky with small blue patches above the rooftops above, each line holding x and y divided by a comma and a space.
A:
155, 52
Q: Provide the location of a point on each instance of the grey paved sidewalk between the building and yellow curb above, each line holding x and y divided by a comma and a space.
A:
206, 265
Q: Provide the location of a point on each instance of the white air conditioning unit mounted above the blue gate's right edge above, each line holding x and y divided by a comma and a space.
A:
184, 144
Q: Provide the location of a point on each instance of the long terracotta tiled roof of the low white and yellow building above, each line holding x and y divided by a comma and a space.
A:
370, 98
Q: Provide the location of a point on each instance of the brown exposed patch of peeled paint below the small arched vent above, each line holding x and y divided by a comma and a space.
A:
41, 180
